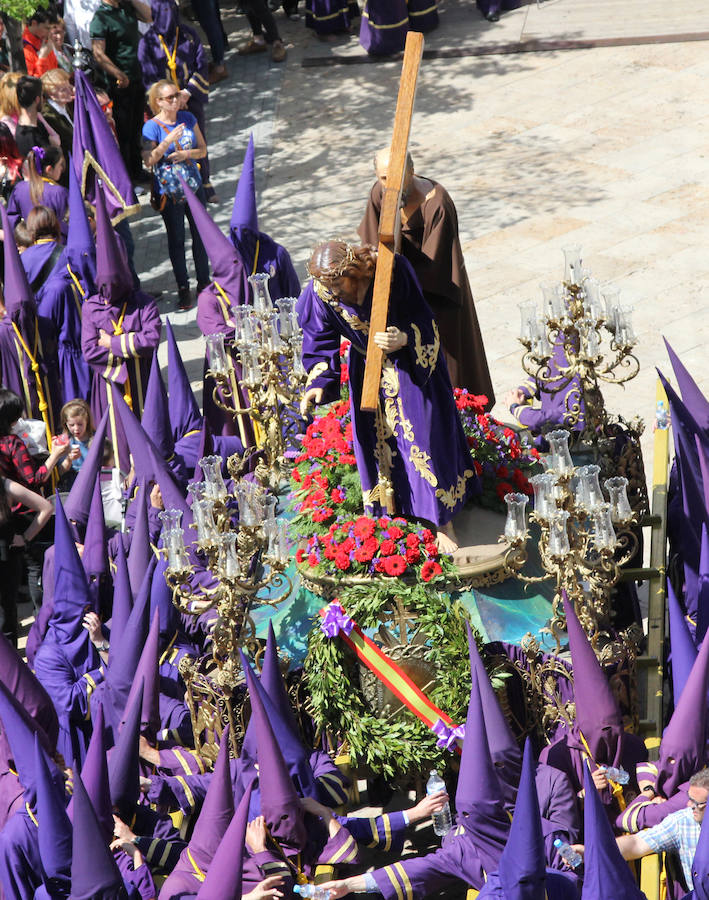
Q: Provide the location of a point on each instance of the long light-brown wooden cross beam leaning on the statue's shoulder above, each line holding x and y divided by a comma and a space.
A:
389, 218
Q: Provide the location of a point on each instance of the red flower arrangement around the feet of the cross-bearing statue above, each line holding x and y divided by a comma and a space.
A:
337, 539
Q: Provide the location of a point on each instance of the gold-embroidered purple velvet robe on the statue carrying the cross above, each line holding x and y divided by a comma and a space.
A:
421, 451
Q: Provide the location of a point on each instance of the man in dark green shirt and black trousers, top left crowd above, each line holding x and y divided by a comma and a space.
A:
114, 41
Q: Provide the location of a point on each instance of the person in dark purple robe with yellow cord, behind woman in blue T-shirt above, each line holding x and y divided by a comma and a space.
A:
171, 49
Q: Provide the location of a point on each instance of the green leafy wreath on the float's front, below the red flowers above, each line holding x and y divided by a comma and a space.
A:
402, 745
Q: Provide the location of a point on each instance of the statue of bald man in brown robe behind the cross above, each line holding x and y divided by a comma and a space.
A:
430, 242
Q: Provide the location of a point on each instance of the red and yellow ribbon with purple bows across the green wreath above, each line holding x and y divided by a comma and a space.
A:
336, 623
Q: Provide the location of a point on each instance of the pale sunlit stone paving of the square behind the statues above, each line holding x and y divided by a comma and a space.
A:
603, 144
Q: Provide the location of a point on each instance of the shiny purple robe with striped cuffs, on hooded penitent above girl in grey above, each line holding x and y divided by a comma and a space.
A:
131, 349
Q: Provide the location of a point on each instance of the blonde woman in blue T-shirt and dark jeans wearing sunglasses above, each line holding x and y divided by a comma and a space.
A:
172, 144
